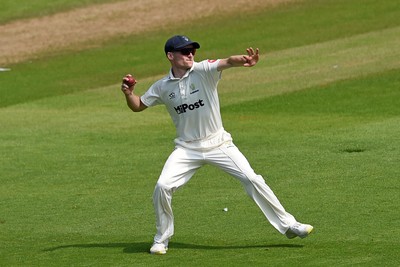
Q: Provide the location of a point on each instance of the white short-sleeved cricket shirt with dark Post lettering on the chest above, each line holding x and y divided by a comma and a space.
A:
193, 104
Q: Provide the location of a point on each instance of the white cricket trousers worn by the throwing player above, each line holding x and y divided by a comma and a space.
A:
183, 163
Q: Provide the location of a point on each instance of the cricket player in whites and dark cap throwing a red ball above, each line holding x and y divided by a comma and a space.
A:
190, 95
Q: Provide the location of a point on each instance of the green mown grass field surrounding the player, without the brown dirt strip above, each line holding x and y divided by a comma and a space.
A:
318, 117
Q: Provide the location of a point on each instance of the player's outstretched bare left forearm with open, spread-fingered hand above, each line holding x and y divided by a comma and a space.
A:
248, 60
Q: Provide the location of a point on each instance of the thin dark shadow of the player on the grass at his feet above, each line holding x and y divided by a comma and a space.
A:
143, 247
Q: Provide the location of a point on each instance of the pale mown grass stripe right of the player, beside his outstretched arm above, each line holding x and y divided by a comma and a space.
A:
317, 64
